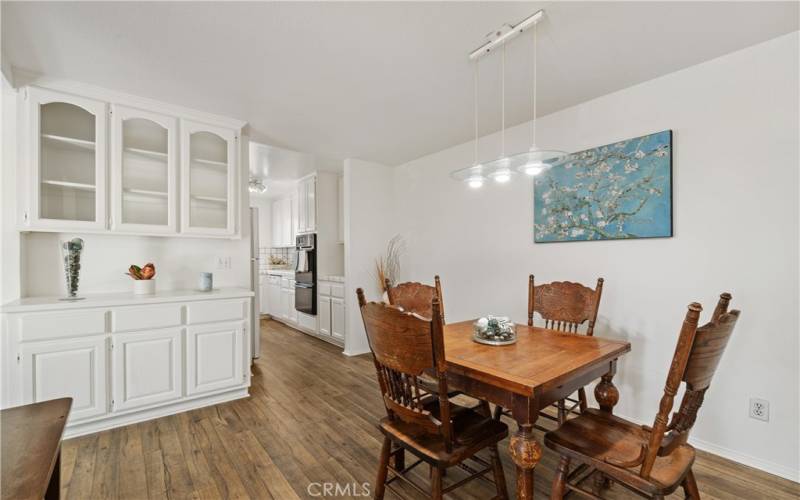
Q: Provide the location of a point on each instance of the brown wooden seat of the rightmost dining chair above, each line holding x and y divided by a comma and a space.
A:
600, 439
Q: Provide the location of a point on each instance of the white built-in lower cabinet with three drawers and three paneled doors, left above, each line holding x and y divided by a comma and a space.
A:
126, 359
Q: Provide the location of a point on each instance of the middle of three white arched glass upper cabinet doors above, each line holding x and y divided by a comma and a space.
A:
143, 171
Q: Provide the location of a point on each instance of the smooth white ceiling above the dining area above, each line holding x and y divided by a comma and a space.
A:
383, 81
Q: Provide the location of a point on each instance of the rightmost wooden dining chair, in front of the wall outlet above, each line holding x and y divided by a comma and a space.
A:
651, 461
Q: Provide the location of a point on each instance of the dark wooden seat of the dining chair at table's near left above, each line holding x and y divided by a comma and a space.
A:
471, 430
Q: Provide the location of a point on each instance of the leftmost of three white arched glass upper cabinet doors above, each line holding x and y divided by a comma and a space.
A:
67, 155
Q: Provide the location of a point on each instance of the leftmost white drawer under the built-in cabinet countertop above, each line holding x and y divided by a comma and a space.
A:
52, 325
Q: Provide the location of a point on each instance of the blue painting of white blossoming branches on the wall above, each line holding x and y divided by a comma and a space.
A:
618, 191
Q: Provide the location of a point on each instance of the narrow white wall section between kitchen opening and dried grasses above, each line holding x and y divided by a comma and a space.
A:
368, 227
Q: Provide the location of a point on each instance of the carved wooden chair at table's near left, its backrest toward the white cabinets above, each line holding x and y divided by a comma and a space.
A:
431, 427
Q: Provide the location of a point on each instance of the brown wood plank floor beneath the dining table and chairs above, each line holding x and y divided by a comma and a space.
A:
310, 419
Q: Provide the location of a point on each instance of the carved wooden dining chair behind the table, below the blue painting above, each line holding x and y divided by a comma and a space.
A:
564, 306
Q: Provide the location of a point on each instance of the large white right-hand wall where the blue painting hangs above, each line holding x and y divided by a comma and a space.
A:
735, 123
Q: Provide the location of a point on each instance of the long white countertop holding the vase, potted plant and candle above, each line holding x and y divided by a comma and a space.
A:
31, 304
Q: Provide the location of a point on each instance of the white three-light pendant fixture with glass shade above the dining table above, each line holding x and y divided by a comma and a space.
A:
531, 162
